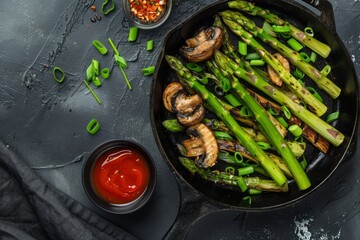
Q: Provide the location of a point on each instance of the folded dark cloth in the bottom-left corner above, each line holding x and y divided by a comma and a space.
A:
32, 209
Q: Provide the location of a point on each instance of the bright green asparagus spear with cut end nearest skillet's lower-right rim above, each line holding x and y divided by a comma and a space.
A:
270, 131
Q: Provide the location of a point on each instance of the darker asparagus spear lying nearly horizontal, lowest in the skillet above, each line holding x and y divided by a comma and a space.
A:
227, 179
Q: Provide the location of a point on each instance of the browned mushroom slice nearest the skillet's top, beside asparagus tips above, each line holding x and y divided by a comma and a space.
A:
202, 46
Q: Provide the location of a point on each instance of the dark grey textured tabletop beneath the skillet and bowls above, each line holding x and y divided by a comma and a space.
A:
45, 122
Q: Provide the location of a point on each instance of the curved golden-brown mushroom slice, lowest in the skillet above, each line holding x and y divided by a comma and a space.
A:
210, 145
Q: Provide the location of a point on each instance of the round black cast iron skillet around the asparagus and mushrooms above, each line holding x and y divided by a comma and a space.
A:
321, 166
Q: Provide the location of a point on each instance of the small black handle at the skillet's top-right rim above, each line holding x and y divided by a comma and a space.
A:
326, 13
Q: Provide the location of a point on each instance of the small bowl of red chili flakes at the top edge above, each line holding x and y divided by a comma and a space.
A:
147, 14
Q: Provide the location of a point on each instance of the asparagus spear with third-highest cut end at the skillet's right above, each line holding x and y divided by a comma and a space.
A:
316, 106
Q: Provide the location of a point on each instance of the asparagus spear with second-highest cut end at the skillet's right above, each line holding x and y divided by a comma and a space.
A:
294, 57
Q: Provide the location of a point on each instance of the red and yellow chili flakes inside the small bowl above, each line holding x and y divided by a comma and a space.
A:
147, 10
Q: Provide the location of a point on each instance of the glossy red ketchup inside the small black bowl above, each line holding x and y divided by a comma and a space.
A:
120, 175
